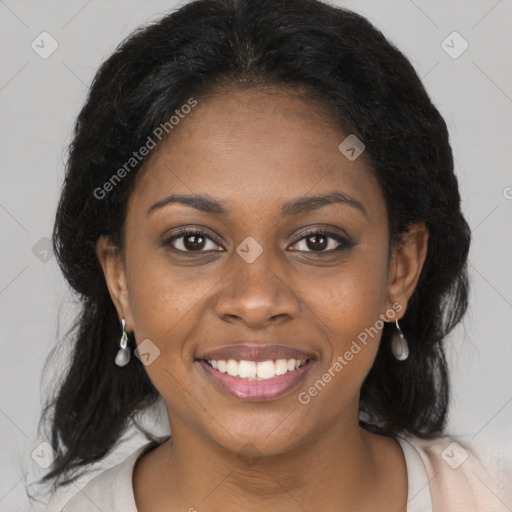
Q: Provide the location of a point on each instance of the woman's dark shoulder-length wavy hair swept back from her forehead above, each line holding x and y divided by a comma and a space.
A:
338, 61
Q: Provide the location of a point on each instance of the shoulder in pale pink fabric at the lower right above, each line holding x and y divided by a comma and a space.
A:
462, 477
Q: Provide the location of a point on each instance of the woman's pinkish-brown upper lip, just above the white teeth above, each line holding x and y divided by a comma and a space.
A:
256, 352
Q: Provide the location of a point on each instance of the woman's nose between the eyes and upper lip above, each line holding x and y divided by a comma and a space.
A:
257, 294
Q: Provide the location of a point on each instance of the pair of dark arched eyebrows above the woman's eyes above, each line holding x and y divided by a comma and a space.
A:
294, 207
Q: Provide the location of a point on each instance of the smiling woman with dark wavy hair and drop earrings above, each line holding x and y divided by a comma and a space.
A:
261, 217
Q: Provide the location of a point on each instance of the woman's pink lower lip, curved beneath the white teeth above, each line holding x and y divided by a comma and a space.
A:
267, 389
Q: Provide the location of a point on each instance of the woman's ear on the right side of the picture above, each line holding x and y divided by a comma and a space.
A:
405, 265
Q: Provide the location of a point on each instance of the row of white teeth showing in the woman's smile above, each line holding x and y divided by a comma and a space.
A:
253, 370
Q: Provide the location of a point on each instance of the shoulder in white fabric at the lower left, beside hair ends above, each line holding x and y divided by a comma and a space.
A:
111, 489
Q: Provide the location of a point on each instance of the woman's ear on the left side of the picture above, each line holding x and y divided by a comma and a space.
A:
111, 262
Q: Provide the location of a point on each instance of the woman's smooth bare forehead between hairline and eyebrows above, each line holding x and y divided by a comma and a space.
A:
253, 150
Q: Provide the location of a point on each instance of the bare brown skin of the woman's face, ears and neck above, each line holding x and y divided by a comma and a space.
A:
253, 151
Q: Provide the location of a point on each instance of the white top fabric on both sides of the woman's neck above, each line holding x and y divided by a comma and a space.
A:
112, 489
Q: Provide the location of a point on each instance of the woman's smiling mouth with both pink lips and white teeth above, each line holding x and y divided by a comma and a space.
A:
259, 377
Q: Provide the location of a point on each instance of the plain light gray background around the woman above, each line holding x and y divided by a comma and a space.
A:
40, 99
